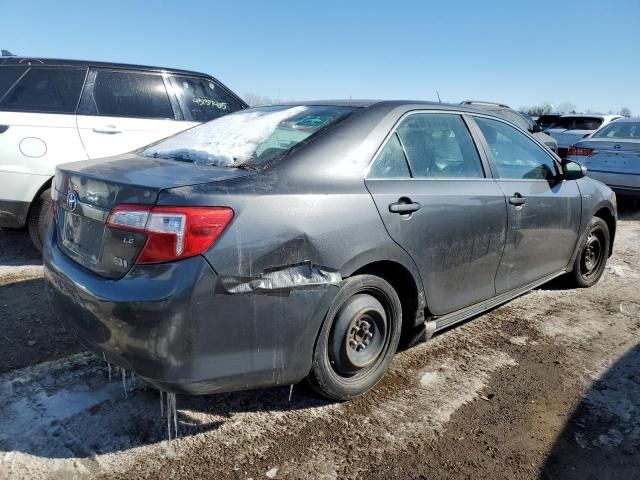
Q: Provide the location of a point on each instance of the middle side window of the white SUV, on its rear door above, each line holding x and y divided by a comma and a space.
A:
126, 94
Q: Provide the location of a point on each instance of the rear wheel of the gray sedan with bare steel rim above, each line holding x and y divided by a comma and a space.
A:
358, 338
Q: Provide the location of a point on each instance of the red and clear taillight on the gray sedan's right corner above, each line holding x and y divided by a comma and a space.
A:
172, 232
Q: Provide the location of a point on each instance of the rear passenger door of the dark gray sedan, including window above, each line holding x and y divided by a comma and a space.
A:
438, 201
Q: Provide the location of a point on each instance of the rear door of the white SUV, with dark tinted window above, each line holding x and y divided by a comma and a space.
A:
122, 110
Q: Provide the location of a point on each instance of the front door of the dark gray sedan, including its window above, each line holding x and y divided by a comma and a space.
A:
544, 210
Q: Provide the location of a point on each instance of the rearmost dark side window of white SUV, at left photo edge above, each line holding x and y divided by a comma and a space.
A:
46, 90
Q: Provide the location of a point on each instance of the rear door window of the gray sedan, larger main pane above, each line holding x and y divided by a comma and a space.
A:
439, 146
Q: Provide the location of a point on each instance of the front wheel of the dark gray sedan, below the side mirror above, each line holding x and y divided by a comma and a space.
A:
592, 255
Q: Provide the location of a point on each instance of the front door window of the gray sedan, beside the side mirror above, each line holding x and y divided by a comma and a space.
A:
515, 154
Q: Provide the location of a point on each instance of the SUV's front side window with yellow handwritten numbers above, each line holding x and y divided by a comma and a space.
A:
201, 99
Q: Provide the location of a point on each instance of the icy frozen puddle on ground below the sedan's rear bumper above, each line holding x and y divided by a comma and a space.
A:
65, 419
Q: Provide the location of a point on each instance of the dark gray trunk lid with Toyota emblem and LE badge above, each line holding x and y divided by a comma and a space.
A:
87, 191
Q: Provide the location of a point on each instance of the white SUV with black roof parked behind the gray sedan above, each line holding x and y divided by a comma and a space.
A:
58, 111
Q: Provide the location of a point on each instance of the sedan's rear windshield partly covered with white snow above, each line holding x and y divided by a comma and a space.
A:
248, 137
